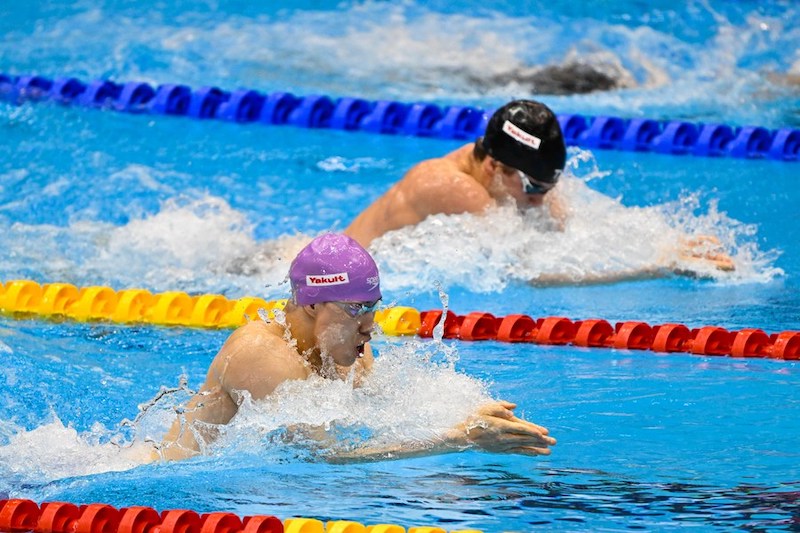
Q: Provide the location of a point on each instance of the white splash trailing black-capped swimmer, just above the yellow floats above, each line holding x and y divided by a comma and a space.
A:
201, 245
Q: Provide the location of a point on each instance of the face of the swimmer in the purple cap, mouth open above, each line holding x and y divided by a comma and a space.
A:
343, 328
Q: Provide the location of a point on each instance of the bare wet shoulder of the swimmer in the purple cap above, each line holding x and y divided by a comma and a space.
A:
256, 358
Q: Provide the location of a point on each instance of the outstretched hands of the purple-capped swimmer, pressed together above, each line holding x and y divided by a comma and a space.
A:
495, 428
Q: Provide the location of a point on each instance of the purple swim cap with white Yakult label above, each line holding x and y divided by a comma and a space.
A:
334, 268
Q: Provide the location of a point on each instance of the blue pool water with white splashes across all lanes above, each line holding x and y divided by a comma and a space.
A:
646, 441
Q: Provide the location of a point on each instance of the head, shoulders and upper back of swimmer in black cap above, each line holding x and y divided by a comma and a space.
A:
520, 156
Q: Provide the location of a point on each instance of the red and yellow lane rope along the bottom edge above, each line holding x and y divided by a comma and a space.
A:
20, 515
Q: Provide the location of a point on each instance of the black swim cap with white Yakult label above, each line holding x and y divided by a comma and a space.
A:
525, 135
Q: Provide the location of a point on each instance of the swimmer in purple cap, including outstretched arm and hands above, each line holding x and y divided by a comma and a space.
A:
327, 328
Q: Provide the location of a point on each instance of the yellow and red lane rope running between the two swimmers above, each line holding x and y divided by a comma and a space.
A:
176, 308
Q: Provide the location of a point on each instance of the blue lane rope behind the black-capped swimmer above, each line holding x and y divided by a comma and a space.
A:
388, 117
